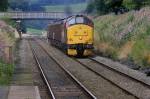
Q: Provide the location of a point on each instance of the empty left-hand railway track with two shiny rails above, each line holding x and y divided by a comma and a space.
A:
60, 82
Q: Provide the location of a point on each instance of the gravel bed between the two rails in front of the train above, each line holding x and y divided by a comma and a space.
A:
125, 82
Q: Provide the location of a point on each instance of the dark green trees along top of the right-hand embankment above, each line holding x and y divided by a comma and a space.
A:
117, 6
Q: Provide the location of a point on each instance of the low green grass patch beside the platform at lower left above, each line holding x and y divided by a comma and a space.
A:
6, 71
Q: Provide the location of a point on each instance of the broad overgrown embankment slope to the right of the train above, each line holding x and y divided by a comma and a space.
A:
125, 38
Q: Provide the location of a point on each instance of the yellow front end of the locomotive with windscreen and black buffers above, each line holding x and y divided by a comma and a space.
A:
79, 31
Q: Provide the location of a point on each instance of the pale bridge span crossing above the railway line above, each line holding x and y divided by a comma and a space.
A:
35, 15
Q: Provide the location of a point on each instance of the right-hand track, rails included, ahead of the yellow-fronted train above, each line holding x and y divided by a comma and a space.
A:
131, 85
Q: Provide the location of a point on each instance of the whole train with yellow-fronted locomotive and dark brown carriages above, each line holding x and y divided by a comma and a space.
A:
74, 35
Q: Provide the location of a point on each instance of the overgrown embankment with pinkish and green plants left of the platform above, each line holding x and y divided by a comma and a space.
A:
8, 37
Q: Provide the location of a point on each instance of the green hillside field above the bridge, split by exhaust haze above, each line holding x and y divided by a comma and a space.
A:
60, 8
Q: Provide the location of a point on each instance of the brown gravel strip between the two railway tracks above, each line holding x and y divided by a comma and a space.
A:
100, 87
